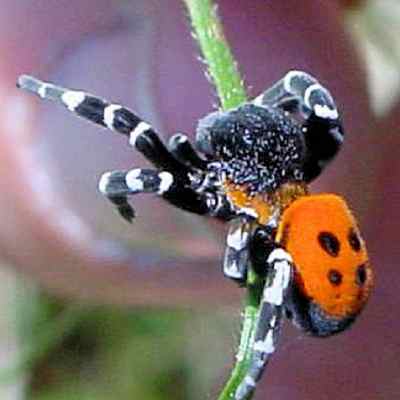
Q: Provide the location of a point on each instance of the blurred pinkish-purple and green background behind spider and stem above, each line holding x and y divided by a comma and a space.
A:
61, 235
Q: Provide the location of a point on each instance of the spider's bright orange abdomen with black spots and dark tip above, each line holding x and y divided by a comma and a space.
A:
333, 277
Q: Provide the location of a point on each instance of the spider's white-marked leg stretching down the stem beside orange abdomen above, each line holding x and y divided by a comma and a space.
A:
269, 323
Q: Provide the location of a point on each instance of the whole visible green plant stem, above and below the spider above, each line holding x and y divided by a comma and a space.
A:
223, 72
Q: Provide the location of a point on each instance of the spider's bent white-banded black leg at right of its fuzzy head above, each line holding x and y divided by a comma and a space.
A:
302, 96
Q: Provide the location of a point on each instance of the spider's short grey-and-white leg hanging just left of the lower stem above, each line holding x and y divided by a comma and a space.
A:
236, 256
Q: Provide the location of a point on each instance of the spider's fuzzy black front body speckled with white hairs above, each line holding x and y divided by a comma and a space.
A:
258, 147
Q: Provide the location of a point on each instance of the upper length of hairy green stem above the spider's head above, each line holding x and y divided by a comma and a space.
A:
222, 68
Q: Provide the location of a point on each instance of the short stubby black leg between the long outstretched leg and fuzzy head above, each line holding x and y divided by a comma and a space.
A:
180, 146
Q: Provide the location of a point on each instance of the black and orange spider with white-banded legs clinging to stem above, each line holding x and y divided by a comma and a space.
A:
251, 168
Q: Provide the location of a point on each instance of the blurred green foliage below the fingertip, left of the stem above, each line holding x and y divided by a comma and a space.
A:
101, 352
